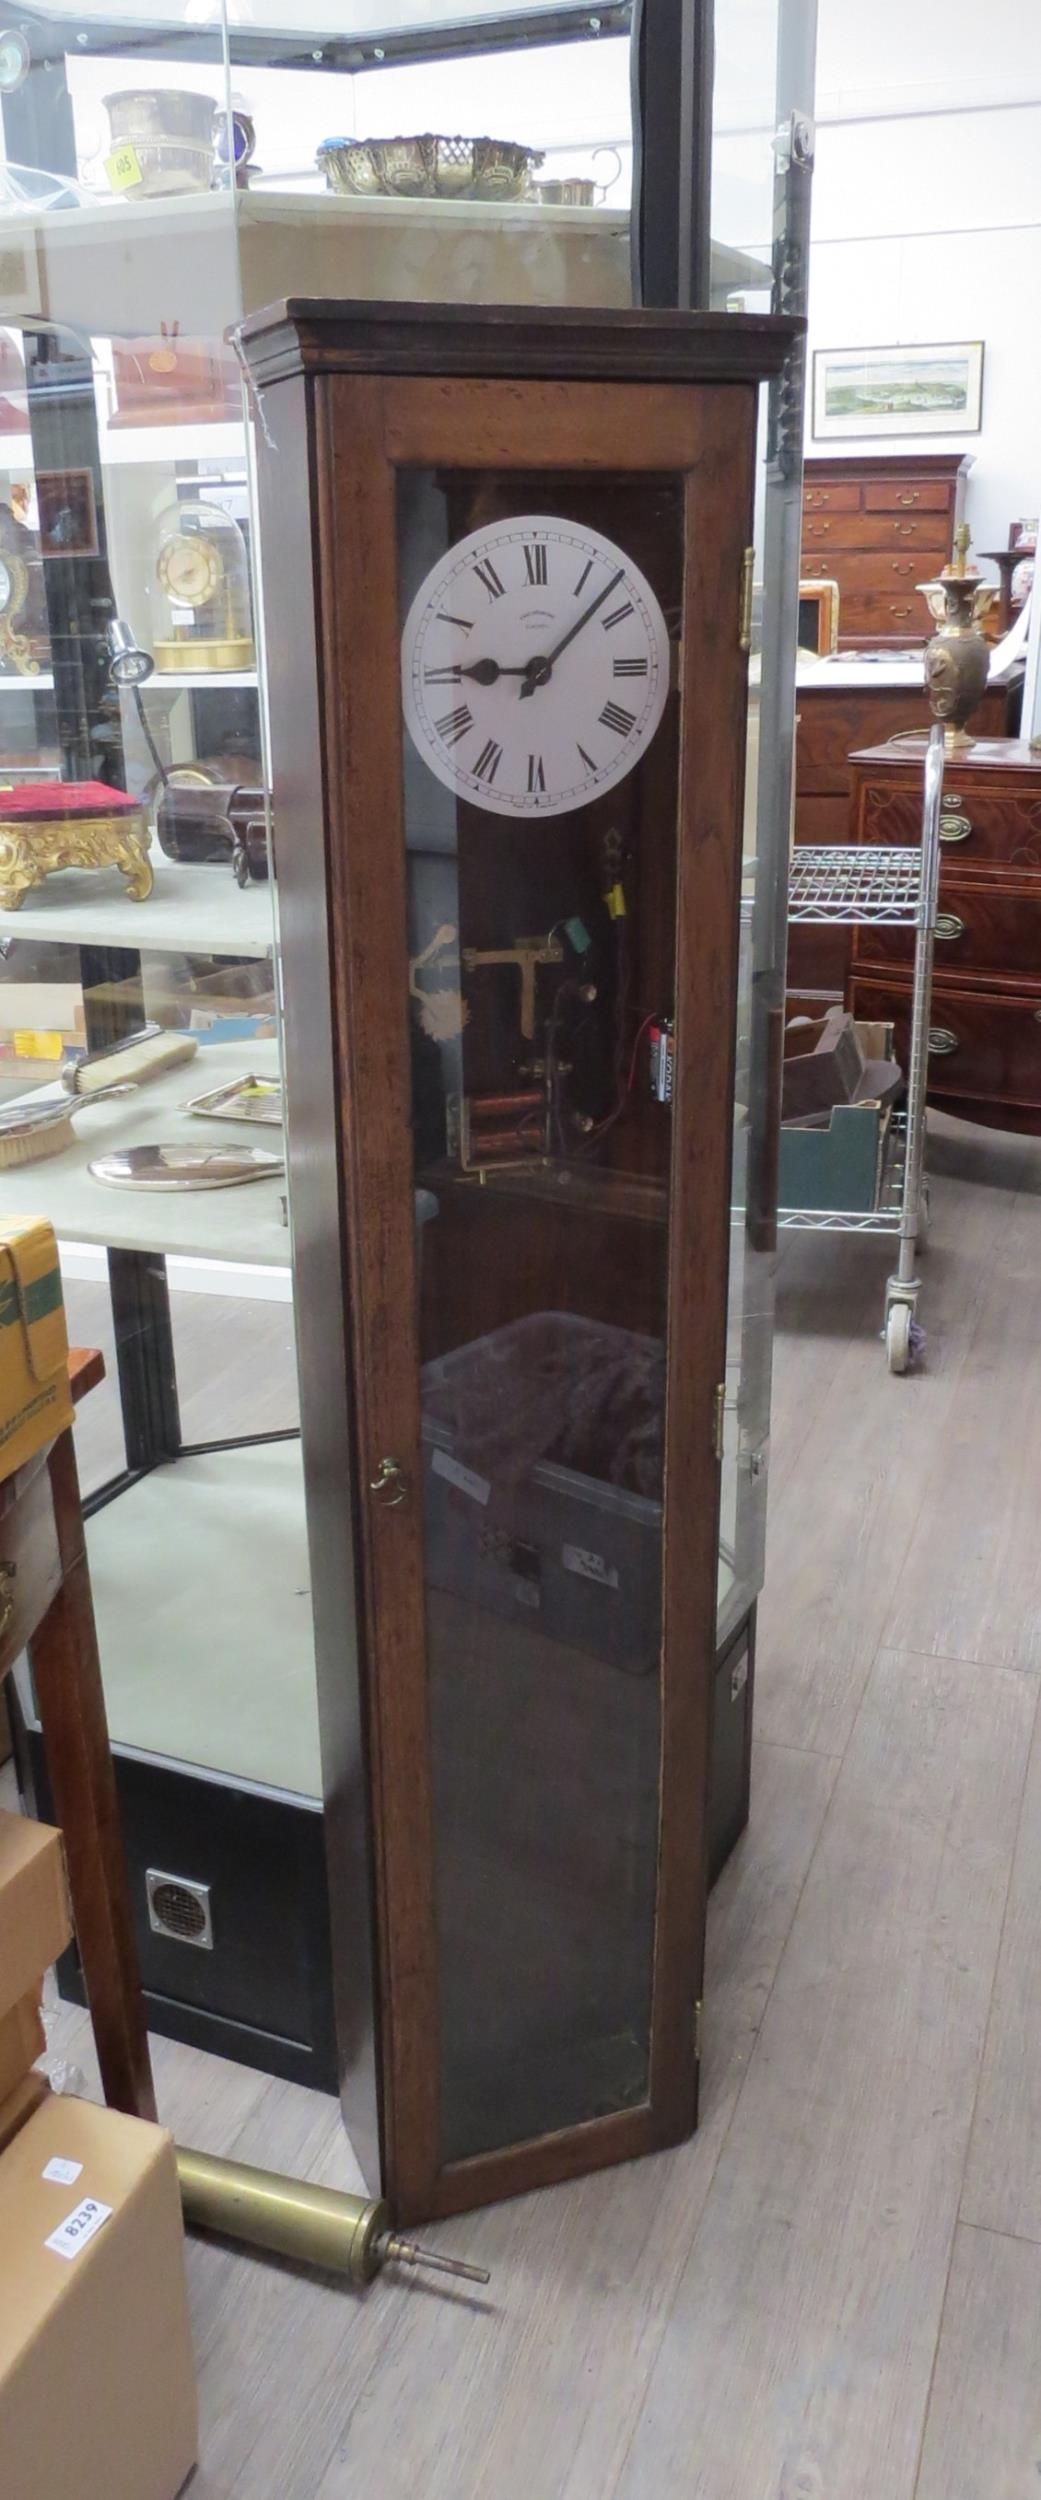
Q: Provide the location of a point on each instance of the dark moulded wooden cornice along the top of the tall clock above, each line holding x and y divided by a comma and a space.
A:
549, 344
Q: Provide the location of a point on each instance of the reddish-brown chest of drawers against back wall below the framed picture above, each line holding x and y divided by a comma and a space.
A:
880, 529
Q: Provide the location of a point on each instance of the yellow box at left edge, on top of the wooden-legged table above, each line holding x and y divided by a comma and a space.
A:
36, 1401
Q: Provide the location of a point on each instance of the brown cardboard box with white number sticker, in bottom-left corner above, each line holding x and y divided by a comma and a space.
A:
96, 2364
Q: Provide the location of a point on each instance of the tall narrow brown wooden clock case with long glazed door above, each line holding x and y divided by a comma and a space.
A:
482, 1849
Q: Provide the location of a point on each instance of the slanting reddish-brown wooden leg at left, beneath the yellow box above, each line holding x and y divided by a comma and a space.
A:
66, 1674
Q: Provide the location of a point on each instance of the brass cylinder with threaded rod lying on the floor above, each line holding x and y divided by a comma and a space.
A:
317, 2226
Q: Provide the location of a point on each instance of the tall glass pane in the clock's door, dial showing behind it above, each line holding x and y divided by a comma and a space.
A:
542, 941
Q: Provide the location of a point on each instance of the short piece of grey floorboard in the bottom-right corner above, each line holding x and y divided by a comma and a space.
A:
985, 2419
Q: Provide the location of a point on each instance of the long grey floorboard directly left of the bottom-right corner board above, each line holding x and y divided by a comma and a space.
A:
805, 2326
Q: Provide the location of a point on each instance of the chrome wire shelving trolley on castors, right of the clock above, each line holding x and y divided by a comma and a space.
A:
890, 889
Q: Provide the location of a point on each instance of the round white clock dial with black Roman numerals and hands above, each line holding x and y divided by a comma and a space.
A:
534, 666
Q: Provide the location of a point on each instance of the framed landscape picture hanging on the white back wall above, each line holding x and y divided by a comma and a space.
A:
900, 391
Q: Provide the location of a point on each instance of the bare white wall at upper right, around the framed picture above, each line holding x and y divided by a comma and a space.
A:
927, 214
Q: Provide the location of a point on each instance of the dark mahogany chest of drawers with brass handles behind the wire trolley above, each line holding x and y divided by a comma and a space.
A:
985, 1056
